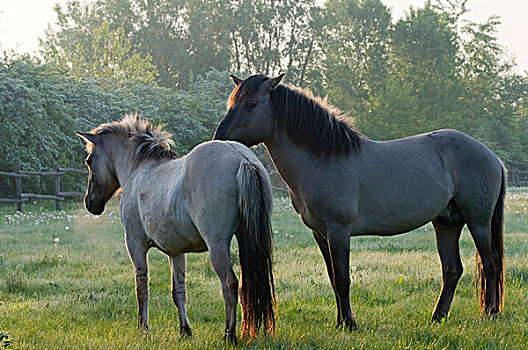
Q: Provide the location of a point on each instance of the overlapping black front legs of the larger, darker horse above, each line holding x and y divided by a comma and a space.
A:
336, 252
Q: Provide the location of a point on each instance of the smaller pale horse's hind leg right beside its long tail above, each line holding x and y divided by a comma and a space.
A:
221, 261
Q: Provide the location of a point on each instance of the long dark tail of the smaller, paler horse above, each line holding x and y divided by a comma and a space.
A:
257, 292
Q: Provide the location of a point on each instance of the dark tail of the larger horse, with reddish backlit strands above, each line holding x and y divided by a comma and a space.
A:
497, 246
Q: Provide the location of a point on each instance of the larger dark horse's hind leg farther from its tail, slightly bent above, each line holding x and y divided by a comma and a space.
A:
447, 237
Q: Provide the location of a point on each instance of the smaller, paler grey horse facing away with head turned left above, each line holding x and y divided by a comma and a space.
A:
190, 204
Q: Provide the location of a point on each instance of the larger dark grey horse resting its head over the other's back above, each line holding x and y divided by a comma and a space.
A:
343, 184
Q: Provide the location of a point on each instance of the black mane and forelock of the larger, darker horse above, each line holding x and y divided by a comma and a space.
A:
309, 121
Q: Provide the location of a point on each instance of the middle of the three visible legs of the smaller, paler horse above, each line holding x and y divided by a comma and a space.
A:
178, 291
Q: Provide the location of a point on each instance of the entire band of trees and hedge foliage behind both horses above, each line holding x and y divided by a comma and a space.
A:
169, 59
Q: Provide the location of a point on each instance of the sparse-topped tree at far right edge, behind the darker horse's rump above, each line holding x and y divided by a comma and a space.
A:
494, 96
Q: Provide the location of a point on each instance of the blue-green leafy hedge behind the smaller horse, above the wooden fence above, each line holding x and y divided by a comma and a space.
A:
40, 109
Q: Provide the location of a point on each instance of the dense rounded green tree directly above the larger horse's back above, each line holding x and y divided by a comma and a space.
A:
421, 91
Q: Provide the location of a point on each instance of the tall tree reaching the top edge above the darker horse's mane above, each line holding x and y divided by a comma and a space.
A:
356, 51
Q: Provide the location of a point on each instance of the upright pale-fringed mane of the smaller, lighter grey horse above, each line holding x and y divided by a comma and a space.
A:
150, 142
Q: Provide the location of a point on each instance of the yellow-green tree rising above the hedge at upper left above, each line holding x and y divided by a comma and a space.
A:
92, 49
